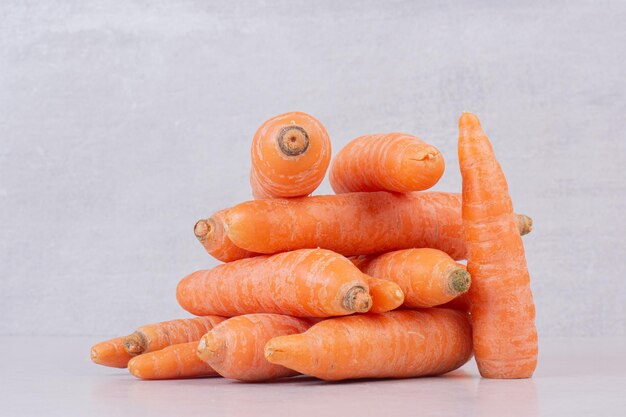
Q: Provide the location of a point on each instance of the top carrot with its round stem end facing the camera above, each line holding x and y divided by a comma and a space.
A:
290, 156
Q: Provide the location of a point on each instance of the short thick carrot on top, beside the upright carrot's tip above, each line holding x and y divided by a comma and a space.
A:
388, 162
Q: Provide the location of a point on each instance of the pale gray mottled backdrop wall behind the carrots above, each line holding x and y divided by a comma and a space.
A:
121, 123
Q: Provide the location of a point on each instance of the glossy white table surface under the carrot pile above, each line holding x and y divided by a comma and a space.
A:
49, 376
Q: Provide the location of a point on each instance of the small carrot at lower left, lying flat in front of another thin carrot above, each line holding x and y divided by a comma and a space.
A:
173, 362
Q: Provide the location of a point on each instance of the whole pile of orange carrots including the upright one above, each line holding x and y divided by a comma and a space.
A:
365, 283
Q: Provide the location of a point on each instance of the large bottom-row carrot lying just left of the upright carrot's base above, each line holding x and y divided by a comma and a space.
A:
398, 344
